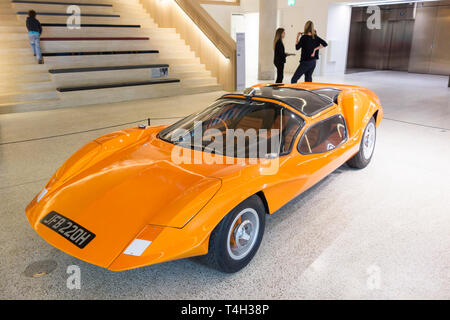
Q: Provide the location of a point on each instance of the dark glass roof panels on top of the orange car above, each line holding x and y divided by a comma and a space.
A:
307, 102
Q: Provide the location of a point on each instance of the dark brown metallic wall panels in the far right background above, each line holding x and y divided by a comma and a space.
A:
414, 38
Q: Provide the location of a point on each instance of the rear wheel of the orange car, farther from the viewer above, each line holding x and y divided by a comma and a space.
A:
367, 147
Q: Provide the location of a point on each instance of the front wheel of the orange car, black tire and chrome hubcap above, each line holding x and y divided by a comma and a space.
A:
236, 239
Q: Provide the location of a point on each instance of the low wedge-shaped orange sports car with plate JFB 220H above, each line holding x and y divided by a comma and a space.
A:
202, 186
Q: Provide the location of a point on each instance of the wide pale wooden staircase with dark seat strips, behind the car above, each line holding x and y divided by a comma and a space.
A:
118, 54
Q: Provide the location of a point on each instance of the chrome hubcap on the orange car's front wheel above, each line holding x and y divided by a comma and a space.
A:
243, 233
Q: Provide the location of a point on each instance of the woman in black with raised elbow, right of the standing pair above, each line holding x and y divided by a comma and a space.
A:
310, 44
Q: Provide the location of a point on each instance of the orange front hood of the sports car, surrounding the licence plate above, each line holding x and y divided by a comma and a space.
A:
114, 187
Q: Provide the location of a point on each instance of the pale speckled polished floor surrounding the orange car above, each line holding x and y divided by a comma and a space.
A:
378, 233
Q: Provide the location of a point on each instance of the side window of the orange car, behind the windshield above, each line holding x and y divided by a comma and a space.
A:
324, 136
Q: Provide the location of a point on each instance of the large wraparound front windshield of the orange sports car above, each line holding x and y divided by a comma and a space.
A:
238, 128
